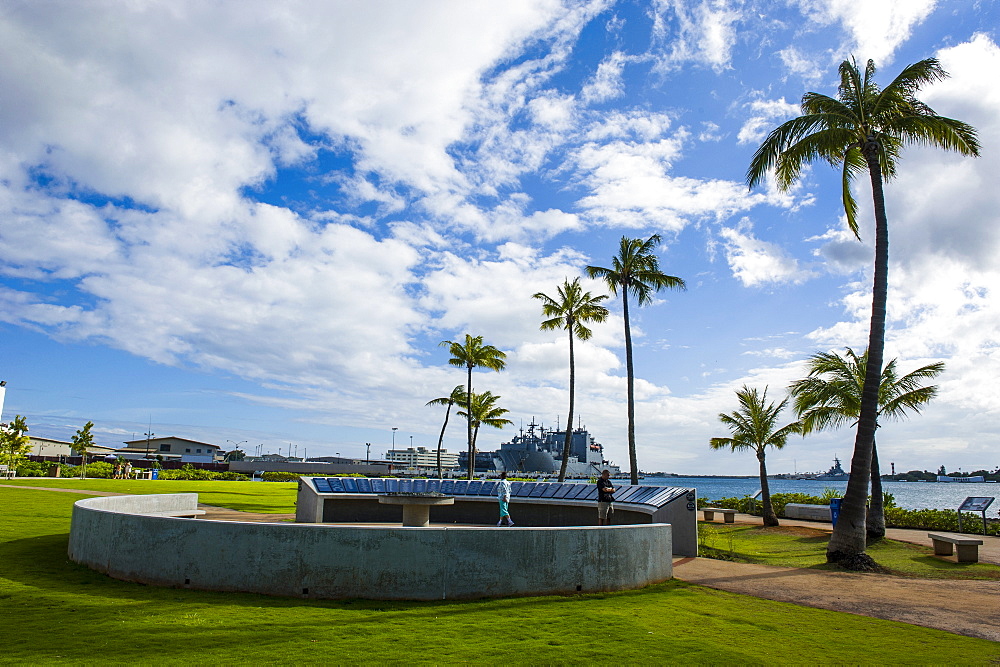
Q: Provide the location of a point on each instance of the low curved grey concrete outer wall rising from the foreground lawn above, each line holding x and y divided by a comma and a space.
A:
112, 536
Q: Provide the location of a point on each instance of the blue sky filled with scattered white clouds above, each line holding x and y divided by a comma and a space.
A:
252, 223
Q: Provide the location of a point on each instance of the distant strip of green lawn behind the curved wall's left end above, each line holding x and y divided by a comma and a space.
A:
263, 497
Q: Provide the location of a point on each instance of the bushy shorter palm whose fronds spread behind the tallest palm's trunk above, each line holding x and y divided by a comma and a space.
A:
830, 397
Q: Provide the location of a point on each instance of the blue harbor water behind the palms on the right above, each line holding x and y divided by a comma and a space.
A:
908, 495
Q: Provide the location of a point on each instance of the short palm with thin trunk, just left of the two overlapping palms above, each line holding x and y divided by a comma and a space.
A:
753, 428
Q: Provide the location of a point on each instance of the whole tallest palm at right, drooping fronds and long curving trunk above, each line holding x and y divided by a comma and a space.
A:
865, 127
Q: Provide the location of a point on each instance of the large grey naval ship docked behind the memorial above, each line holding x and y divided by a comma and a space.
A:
539, 450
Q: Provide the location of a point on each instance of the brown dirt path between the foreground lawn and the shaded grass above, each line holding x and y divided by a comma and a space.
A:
969, 608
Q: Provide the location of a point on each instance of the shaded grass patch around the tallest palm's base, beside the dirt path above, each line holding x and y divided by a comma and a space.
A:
794, 546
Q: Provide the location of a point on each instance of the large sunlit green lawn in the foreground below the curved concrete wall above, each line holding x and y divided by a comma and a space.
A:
54, 611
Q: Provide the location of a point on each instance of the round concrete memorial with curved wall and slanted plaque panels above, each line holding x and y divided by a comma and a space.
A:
355, 538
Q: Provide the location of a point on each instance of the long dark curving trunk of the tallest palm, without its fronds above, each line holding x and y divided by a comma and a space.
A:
847, 543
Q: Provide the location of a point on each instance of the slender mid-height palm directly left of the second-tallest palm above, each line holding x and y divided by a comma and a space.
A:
570, 310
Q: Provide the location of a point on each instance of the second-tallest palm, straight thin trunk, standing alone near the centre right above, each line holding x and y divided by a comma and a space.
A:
636, 271
